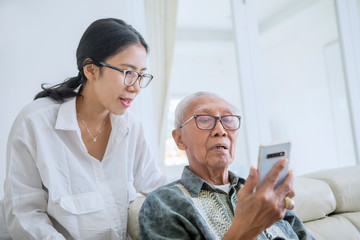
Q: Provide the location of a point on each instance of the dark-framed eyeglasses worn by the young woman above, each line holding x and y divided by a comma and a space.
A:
131, 76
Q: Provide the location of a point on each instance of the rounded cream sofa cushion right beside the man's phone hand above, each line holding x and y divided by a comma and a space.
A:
314, 199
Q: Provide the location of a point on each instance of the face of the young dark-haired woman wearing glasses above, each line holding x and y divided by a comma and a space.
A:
109, 86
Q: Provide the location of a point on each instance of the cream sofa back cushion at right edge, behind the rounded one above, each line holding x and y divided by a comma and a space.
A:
345, 184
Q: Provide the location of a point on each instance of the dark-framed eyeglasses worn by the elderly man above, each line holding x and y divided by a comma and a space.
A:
208, 122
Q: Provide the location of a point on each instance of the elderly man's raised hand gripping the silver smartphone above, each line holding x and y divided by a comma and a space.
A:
258, 210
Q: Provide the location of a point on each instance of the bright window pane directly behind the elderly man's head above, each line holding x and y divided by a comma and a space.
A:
204, 60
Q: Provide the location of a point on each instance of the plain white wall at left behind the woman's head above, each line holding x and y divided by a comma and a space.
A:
38, 43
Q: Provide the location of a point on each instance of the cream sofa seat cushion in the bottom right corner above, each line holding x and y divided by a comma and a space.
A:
333, 227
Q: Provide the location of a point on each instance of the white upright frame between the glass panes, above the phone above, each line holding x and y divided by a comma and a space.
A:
251, 80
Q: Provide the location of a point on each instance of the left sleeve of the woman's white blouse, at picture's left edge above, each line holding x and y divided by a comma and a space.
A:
25, 200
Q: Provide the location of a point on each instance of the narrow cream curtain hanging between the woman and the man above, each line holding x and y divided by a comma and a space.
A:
161, 28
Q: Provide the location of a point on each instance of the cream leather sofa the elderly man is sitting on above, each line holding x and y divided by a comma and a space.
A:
327, 201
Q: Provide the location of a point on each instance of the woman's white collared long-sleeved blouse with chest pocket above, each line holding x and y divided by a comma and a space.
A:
54, 189
